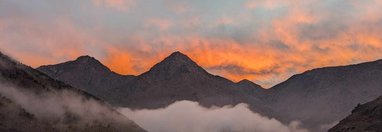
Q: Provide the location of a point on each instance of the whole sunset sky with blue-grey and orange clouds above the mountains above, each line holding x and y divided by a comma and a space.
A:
265, 41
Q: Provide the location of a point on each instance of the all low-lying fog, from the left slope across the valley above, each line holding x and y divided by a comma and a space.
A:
181, 116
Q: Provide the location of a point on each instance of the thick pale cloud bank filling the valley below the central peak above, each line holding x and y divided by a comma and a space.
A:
187, 116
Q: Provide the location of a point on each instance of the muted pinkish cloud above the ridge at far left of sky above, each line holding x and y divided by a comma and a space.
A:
37, 44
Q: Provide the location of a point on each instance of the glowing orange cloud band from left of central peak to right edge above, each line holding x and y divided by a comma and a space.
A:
261, 61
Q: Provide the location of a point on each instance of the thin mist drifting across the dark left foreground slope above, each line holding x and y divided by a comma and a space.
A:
65, 110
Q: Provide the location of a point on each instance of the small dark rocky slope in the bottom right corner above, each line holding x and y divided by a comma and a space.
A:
365, 118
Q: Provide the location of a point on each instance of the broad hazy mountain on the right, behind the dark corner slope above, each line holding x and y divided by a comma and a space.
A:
326, 95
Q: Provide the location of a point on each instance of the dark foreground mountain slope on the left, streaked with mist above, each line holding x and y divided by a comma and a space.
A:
32, 101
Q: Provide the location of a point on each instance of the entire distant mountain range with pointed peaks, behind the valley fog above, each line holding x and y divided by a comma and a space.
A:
318, 97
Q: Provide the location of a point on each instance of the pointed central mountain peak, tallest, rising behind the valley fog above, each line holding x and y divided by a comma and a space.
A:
176, 78
